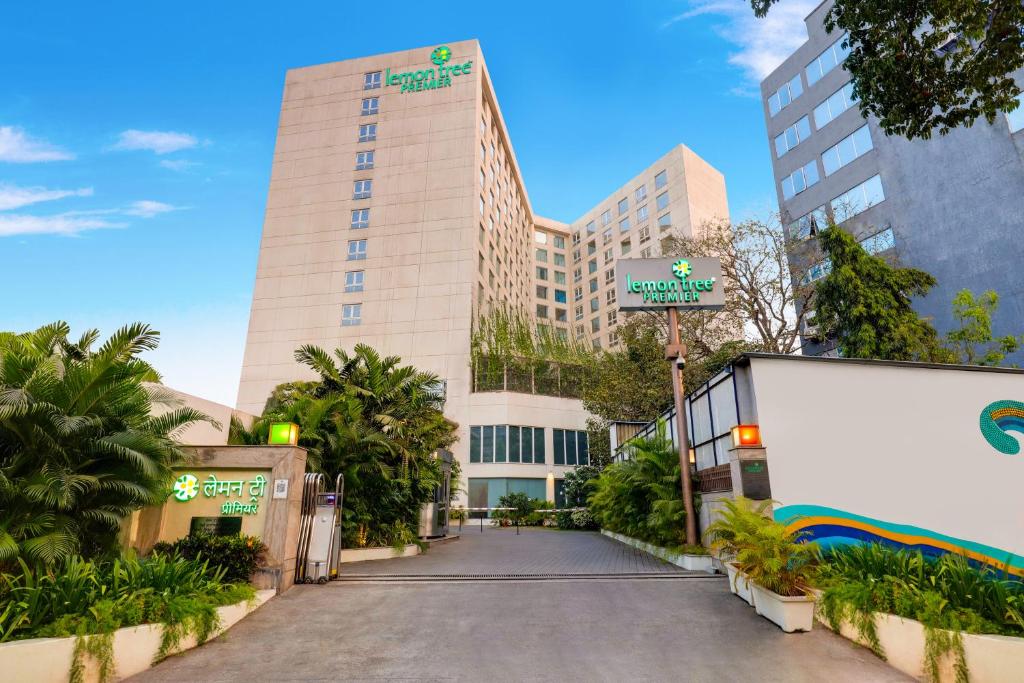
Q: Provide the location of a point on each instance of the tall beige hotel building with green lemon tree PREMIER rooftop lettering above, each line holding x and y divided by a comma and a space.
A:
398, 214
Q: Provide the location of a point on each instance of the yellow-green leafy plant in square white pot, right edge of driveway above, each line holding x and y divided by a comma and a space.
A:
780, 566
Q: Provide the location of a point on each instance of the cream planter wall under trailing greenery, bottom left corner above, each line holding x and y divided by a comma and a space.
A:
50, 660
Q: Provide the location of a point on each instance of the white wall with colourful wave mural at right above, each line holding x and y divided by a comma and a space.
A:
900, 446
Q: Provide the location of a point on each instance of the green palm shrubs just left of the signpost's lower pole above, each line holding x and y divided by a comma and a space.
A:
642, 497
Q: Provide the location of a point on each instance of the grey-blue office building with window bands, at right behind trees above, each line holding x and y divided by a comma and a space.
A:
953, 205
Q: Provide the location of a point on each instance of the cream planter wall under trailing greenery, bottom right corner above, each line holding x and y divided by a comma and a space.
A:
990, 659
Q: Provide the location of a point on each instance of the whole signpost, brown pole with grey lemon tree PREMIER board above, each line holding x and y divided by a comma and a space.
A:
671, 284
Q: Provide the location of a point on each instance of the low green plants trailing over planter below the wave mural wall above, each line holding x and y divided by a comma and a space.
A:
947, 594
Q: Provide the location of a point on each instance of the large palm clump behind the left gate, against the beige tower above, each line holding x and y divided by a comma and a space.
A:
377, 422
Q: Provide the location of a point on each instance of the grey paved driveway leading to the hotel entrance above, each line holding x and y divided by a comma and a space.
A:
655, 626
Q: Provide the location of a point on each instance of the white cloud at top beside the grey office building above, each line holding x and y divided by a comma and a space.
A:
763, 44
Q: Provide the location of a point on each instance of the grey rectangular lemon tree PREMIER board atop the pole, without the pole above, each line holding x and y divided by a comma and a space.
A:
656, 284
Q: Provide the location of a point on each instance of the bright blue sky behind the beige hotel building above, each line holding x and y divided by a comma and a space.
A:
137, 140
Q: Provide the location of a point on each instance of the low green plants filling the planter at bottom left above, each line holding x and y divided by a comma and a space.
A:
79, 597
